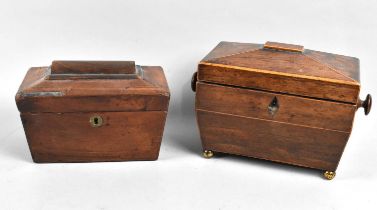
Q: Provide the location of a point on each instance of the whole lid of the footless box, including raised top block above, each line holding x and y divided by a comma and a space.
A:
88, 86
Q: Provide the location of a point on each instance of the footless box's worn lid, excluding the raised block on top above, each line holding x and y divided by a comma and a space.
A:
147, 93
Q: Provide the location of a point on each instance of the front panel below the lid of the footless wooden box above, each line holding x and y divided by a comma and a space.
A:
69, 137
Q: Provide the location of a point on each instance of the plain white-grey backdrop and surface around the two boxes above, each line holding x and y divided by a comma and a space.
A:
176, 35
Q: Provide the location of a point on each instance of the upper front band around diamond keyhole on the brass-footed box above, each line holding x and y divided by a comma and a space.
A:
292, 109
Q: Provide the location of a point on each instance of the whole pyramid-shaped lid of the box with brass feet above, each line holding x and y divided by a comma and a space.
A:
284, 68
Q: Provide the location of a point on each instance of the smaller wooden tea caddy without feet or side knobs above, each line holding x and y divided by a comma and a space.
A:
84, 111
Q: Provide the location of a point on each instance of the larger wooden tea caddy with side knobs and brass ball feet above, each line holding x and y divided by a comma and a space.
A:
277, 102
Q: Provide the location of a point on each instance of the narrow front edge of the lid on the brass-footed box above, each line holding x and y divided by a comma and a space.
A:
301, 86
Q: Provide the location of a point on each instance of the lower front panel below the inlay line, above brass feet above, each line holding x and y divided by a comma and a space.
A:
264, 139
